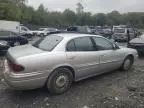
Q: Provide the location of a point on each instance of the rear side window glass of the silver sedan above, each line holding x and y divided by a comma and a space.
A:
81, 44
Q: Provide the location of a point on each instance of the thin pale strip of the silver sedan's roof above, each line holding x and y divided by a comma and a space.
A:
74, 35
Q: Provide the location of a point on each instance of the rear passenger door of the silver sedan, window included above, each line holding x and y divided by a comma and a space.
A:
81, 54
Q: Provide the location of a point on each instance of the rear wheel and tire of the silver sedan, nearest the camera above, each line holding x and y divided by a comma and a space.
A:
59, 81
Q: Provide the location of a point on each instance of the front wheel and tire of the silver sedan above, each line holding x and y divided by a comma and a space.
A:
128, 63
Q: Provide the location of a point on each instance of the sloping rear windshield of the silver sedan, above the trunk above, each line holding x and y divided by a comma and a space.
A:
48, 43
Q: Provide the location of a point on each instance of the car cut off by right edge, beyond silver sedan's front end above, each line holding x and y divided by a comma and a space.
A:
138, 44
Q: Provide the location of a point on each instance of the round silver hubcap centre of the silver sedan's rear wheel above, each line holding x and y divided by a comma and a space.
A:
61, 81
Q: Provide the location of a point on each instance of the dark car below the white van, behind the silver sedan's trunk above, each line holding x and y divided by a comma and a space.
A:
12, 38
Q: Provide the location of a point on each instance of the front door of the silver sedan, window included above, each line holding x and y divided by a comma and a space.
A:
110, 57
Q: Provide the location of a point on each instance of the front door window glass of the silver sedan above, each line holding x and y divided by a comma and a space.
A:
102, 44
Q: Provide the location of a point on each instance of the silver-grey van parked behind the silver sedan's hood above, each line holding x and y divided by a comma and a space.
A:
120, 34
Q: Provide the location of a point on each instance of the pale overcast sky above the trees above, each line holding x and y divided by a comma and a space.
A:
94, 6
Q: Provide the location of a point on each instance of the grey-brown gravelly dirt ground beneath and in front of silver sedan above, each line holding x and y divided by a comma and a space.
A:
116, 89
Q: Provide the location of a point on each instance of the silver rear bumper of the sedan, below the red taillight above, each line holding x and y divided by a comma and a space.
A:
23, 81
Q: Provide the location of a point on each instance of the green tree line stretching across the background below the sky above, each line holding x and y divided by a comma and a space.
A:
18, 10
